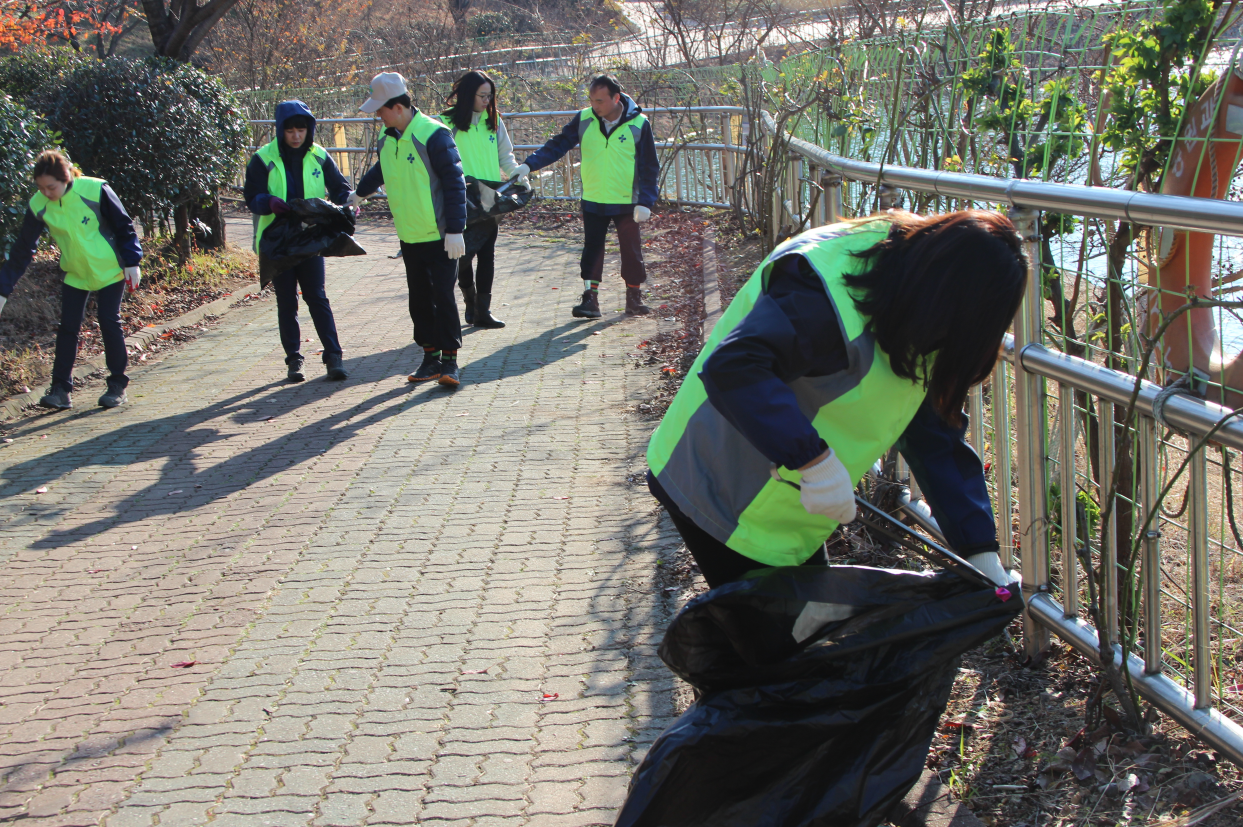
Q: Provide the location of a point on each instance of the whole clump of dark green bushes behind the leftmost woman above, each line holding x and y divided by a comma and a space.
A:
165, 135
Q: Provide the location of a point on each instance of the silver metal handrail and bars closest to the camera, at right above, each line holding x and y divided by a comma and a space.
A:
1034, 365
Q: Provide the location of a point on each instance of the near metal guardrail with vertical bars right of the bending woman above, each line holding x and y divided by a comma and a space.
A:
1180, 671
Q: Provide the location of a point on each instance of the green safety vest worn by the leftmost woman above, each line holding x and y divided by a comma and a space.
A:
88, 246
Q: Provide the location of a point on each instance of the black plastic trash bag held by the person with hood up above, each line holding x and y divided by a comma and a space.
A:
311, 228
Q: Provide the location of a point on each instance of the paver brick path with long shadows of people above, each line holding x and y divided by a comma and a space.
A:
405, 605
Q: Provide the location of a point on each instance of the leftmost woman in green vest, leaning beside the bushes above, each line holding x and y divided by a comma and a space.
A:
100, 254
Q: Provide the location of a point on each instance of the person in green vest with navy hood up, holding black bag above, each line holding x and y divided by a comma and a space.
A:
289, 167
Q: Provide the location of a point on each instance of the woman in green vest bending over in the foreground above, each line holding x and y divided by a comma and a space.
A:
847, 341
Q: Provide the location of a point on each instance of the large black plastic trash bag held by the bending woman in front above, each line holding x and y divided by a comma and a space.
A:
821, 691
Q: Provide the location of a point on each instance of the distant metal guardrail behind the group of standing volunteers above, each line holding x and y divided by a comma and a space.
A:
699, 150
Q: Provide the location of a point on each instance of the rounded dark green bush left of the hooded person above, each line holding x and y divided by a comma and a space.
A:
165, 135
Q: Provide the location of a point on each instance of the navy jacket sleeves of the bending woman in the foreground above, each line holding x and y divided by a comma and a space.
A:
792, 333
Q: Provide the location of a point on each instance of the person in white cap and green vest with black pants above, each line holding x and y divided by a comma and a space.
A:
422, 175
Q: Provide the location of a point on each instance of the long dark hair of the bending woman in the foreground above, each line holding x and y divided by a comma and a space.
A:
947, 284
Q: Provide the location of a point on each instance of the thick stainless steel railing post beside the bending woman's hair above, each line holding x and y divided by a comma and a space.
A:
1034, 493
